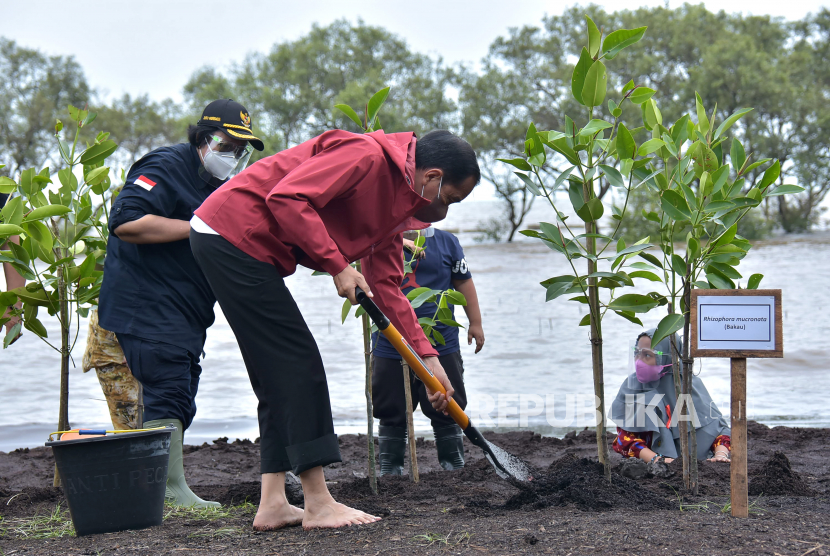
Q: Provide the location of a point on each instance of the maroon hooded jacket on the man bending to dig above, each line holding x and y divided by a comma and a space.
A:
334, 199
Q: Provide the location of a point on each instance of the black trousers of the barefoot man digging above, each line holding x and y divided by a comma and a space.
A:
283, 361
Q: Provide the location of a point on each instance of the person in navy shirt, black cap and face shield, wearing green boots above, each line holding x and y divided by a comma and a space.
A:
154, 296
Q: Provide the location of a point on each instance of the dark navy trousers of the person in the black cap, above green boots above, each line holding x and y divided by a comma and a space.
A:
168, 374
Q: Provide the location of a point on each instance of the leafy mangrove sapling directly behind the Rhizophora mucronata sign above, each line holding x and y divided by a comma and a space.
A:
698, 192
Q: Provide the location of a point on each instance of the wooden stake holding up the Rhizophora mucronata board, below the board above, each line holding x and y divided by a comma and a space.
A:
740, 497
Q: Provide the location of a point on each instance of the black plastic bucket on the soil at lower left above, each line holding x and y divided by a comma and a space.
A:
114, 482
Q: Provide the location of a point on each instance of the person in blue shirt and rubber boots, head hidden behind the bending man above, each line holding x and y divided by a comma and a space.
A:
440, 265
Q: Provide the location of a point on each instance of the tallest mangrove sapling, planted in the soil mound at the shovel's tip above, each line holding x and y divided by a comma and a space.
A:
592, 158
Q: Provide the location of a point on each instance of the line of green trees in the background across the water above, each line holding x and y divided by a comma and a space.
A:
777, 67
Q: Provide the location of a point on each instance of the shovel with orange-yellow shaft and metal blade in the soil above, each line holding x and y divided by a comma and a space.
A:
507, 466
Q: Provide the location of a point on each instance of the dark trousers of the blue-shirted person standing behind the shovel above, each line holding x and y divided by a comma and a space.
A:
389, 398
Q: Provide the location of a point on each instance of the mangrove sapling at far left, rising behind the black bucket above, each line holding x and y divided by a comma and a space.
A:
53, 225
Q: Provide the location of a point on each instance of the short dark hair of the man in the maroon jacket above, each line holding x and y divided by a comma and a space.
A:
443, 150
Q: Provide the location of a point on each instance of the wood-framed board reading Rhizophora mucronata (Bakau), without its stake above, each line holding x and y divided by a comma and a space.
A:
736, 323
